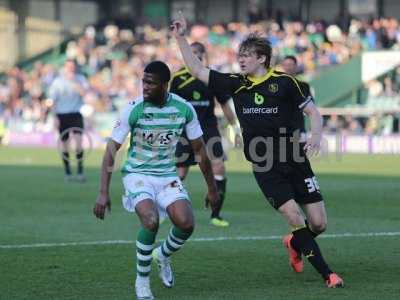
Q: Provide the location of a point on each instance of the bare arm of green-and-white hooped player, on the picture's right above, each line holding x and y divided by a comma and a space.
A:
199, 150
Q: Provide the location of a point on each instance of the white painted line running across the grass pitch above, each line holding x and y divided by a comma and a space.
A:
200, 239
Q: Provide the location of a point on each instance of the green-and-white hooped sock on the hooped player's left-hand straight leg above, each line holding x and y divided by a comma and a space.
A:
144, 247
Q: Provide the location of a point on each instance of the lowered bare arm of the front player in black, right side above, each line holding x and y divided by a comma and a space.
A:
313, 144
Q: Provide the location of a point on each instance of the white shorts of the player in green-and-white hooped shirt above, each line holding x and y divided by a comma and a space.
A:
162, 190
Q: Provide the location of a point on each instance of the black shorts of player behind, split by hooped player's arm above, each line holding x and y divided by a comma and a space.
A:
184, 153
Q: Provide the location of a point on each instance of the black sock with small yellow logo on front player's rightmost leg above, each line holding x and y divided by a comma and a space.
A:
303, 242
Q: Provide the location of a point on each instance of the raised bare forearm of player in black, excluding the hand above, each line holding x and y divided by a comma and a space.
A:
195, 66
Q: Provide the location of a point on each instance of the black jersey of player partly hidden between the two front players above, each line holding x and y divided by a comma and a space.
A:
199, 95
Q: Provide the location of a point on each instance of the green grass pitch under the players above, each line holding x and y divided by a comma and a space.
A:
36, 206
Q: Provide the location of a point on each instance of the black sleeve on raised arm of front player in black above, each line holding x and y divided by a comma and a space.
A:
225, 83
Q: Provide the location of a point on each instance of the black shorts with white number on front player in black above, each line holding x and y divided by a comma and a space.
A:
287, 181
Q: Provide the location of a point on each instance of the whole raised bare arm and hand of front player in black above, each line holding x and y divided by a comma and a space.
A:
195, 66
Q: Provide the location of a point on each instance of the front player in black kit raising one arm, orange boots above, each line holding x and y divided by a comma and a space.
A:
268, 104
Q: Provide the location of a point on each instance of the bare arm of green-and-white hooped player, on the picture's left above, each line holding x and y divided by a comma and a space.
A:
103, 201
